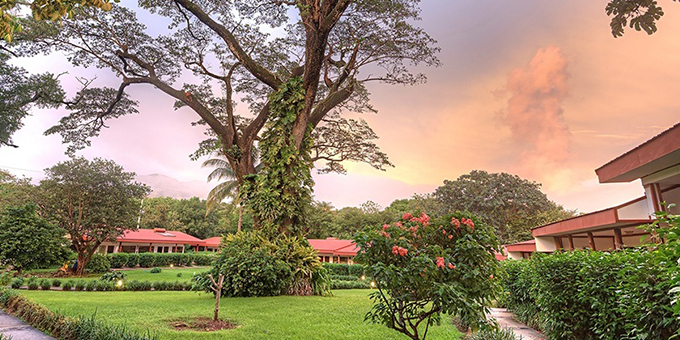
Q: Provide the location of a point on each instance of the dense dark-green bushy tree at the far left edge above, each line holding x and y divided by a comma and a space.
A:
29, 241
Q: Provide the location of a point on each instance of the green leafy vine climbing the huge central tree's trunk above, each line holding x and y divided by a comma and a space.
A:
280, 194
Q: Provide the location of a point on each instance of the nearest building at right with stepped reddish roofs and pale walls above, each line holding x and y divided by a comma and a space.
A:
656, 163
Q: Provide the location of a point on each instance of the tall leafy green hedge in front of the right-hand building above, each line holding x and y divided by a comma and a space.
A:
594, 295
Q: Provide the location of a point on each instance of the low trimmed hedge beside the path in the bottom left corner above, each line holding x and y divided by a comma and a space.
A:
63, 327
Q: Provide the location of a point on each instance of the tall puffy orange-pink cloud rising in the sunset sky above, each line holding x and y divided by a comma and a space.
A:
535, 116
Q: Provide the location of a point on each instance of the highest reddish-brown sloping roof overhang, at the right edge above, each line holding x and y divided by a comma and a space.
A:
656, 154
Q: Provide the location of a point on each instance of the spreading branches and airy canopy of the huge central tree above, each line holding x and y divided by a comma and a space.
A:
325, 44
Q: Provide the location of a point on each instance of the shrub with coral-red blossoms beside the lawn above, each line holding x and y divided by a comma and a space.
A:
423, 268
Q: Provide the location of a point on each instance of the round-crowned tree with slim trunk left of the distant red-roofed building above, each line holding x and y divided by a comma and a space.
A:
94, 201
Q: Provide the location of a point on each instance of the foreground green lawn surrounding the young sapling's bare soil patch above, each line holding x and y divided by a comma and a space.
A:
281, 317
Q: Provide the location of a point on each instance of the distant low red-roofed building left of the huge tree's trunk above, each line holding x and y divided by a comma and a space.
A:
157, 240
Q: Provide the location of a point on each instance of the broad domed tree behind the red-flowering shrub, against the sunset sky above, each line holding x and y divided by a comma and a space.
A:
509, 203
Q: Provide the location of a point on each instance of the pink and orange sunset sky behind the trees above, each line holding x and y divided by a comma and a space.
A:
534, 88
